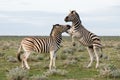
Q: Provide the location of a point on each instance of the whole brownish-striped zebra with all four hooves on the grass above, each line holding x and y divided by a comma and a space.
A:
43, 45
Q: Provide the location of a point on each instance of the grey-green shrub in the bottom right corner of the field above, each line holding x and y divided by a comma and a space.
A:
109, 70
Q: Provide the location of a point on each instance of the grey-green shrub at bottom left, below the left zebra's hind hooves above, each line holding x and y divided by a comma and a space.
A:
17, 74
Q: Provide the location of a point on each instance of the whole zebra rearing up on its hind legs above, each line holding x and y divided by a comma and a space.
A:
85, 37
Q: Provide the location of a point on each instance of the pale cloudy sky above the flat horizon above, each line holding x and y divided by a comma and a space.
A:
36, 17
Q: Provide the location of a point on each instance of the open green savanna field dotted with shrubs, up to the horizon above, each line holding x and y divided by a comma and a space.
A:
71, 62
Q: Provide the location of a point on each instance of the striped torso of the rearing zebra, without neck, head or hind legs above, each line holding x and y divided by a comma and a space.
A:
84, 36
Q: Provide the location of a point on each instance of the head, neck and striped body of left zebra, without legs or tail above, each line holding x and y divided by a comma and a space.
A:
44, 45
